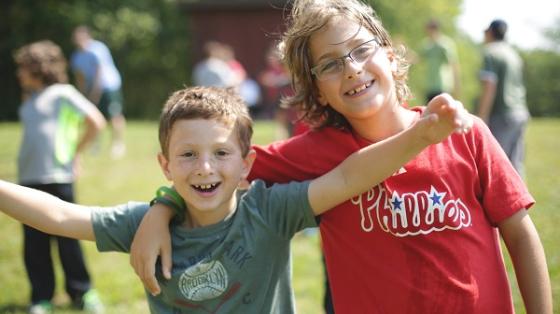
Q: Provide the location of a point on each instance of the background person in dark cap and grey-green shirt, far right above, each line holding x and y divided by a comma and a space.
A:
502, 104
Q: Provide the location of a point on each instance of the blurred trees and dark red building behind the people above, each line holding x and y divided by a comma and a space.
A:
155, 43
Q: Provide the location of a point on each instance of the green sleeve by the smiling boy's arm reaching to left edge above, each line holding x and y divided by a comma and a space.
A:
115, 227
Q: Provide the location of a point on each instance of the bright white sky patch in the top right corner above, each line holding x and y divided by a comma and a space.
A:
526, 19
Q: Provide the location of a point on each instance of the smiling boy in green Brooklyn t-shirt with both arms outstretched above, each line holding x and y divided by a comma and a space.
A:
231, 252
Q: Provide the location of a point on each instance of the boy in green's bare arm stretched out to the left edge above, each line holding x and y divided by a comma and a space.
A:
45, 212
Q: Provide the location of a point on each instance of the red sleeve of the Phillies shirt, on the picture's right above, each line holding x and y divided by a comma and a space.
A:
503, 191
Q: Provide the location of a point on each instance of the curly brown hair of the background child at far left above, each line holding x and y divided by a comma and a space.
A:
44, 60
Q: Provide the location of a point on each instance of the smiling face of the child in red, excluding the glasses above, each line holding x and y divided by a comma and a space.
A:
362, 89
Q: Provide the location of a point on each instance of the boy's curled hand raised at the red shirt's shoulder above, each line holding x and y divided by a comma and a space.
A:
446, 115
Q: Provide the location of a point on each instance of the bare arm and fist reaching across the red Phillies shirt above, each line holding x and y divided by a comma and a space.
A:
373, 164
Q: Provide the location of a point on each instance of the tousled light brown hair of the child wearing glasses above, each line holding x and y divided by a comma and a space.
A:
306, 18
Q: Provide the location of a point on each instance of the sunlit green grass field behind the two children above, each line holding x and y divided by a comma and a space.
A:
106, 182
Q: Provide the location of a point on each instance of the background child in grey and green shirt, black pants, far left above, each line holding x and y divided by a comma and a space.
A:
52, 113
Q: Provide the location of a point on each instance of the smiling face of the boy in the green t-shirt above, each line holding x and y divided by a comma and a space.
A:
206, 165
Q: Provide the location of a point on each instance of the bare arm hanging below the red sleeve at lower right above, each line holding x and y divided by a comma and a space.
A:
527, 254
